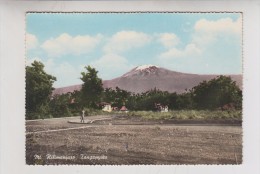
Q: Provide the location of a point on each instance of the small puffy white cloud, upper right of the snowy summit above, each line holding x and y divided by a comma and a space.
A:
168, 40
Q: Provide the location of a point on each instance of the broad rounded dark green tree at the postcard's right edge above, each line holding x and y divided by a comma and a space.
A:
216, 93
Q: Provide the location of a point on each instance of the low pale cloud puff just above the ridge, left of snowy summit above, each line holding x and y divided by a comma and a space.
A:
114, 64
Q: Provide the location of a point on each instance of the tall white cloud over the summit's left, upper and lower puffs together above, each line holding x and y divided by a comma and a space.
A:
112, 64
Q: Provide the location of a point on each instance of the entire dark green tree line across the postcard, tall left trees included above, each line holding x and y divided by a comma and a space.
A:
212, 94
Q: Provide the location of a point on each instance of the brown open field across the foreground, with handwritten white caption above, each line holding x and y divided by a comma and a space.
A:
128, 140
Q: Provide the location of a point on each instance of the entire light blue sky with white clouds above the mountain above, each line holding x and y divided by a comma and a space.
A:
114, 43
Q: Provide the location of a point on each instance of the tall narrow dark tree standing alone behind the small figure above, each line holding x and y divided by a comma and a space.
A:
92, 87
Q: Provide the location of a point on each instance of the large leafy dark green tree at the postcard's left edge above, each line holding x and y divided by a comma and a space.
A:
38, 89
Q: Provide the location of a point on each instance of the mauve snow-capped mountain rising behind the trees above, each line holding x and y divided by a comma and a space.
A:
146, 77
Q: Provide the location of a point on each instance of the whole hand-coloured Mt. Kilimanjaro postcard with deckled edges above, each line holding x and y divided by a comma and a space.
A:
154, 88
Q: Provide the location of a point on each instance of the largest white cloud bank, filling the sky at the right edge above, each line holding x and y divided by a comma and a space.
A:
215, 47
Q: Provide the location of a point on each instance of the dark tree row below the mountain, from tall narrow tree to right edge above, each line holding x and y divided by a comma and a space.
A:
211, 94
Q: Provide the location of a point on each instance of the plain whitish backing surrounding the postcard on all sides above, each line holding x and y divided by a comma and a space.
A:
12, 80
